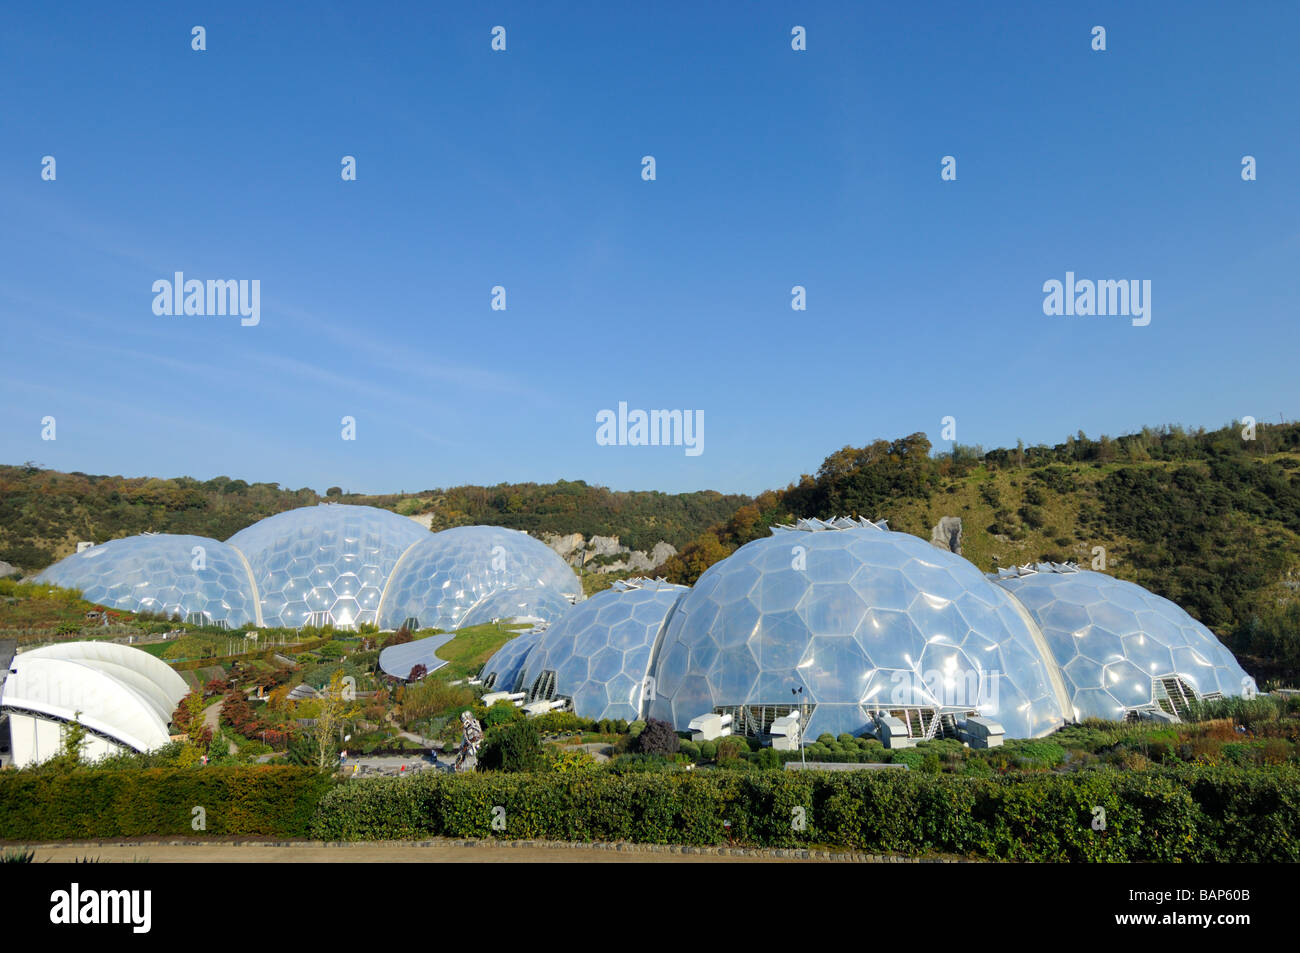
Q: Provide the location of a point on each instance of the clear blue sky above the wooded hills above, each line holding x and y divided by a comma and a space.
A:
523, 170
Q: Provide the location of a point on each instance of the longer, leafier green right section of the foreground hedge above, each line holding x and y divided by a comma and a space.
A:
1163, 815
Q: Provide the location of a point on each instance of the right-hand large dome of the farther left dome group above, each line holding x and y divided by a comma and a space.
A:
443, 579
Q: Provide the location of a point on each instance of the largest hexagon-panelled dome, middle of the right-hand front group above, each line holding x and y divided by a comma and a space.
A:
864, 621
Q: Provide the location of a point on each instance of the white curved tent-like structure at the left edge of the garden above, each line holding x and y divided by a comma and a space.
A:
124, 699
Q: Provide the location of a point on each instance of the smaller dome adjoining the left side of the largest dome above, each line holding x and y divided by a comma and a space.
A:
601, 651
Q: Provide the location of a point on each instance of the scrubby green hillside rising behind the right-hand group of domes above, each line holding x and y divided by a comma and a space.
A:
1206, 519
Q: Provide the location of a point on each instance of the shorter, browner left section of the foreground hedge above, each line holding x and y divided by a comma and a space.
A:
92, 803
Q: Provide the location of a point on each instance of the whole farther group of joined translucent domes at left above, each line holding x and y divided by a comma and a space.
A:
330, 565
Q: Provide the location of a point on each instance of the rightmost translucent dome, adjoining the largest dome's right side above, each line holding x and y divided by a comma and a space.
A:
1117, 644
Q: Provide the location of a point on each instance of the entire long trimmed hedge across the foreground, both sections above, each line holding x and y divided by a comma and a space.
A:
1203, 815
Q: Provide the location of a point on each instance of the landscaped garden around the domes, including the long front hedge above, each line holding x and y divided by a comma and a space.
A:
259, 742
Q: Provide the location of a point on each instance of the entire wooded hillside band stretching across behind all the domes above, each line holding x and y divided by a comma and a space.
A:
1207, 519
